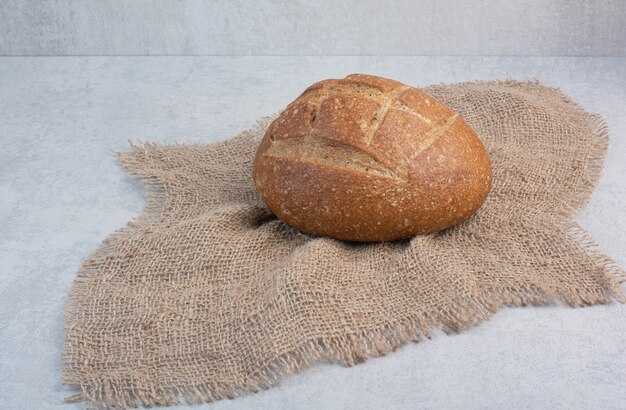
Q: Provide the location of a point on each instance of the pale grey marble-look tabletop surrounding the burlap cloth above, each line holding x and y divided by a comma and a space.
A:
62, 193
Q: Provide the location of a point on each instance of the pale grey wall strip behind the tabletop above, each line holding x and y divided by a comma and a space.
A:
313, 27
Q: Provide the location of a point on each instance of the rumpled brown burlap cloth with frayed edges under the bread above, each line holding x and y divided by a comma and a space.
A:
207, 295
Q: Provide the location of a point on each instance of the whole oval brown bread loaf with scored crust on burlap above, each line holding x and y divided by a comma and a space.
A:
366, 158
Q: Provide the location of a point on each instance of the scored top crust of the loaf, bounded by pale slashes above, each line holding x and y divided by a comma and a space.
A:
362, 122
